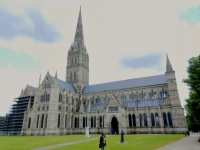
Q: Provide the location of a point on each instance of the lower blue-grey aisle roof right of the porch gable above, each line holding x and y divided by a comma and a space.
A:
143, 103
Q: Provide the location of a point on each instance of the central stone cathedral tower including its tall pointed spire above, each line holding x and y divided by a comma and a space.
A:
77, 70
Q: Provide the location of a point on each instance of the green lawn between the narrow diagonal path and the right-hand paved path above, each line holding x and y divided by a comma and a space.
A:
132, 142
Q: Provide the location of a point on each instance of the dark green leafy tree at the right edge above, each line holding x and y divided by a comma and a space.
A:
193, 102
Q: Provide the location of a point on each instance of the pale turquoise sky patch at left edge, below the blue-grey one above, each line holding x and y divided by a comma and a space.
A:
9, 58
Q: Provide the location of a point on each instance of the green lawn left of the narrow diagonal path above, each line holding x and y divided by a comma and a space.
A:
31, 142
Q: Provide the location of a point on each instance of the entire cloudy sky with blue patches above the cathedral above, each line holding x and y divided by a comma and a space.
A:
124, 39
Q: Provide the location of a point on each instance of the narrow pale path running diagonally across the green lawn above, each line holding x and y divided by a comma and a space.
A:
66, 144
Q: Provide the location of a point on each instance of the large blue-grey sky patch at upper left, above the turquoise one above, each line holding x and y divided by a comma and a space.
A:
32, 25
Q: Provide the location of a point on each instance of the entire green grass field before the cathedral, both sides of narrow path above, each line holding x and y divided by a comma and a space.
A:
132, 142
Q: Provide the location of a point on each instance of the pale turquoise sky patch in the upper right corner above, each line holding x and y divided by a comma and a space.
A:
192, 15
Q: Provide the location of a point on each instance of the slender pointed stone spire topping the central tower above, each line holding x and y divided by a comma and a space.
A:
79, 39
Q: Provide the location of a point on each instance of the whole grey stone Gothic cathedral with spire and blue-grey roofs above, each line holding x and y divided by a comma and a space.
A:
141, 105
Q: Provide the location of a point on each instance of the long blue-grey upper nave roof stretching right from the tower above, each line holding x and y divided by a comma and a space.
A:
125, 84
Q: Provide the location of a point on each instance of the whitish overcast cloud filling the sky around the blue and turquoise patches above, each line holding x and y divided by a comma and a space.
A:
112, 30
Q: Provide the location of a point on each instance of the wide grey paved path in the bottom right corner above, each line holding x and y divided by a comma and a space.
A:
187, 143
